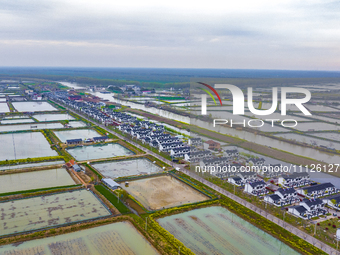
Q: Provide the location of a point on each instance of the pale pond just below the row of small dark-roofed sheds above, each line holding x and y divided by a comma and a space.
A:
99, 151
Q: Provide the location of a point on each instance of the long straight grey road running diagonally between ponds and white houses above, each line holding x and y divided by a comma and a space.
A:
326, 248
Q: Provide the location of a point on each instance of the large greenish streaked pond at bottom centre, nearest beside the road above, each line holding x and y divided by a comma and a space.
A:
215, 230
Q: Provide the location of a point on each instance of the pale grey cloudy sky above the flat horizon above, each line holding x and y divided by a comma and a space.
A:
264, 34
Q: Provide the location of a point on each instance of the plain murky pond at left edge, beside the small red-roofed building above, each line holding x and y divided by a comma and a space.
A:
35, 180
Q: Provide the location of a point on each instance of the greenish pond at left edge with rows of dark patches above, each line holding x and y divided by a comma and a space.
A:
45, 211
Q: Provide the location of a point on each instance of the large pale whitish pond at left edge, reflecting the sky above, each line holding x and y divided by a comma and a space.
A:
25, 145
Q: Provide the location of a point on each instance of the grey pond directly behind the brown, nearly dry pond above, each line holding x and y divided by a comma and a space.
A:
119, 168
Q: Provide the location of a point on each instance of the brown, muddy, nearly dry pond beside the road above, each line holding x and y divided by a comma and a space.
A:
163, 192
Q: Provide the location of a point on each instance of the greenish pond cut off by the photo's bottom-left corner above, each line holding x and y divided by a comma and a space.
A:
117, 239
